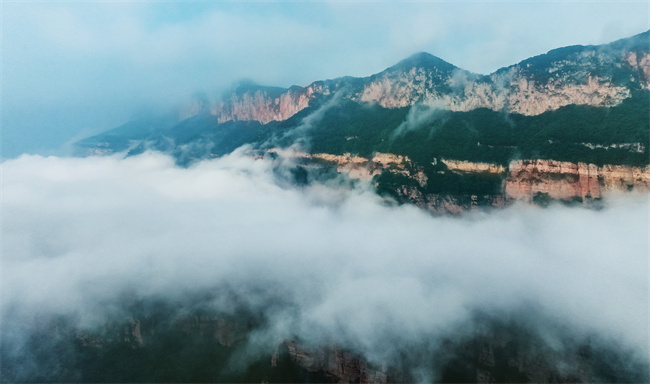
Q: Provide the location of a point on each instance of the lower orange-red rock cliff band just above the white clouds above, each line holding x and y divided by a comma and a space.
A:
523, 180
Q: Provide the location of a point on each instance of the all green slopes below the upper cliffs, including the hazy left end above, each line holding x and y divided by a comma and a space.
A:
480, 135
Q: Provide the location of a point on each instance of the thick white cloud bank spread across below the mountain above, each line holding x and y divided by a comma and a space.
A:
78, 233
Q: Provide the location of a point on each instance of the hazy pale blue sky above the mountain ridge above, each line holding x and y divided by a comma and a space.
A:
70, 69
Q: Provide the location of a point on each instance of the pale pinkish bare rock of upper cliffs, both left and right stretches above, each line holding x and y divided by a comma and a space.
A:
511, 92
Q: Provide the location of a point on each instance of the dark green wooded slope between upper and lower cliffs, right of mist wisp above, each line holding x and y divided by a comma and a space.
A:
484, 135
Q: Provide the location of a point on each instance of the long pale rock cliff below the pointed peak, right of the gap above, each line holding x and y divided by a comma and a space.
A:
511, 91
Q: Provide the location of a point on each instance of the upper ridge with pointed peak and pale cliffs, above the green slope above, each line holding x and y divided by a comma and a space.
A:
600, 76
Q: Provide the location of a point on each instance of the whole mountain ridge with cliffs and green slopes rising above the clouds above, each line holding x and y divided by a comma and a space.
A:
567, 125
